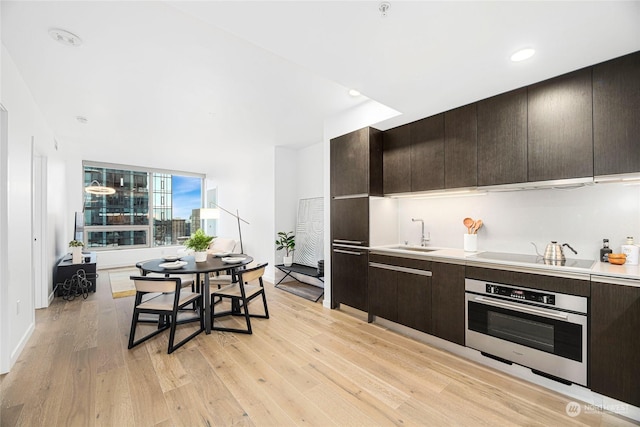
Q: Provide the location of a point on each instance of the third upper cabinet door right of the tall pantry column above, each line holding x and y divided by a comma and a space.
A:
461, 147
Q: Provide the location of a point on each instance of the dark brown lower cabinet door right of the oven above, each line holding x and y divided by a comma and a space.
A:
615, 345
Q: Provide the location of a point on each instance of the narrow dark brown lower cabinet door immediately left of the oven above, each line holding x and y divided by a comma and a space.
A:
448, 301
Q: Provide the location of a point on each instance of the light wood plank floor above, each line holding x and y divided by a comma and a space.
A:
307, 365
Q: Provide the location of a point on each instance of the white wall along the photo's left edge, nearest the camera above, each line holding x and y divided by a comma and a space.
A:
24, 123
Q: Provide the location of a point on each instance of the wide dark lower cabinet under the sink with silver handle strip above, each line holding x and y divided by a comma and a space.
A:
401, 296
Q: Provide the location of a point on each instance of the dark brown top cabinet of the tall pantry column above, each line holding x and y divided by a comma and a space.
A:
356, 163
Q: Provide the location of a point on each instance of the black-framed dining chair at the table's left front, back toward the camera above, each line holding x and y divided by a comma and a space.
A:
172, 297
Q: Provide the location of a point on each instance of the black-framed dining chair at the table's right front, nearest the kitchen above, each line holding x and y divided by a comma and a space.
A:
248, 286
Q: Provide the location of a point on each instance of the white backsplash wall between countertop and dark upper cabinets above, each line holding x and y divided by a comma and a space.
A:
581, 217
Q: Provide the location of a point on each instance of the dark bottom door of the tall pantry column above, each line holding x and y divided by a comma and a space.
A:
349, 278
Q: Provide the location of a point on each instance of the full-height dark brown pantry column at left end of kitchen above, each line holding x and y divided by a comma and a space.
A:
356, 174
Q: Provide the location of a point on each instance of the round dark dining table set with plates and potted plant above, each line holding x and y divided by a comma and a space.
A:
212, 265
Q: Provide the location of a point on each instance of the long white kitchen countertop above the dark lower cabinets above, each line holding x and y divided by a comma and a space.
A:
622, 274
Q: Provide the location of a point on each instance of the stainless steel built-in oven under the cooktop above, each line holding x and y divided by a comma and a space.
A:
542, 330
